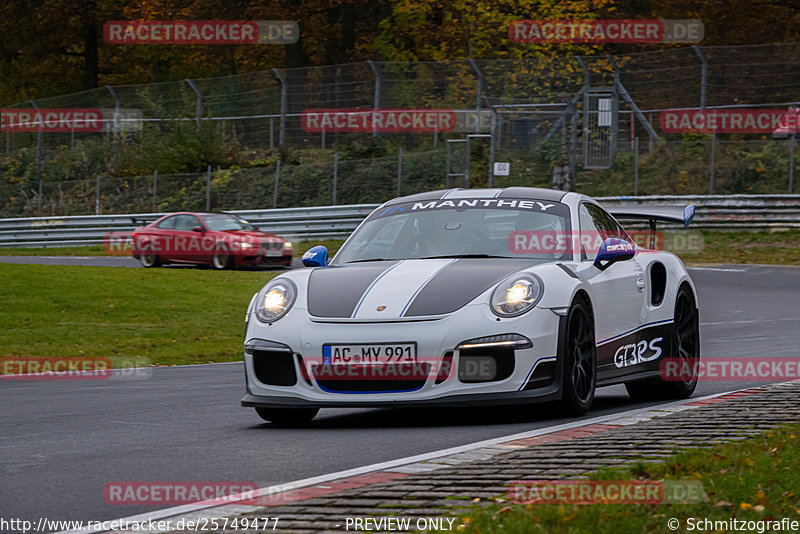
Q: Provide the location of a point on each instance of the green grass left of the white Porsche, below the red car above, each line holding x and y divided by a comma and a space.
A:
169, 316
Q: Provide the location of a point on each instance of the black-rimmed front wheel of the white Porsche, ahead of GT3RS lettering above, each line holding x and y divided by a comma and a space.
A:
579, 371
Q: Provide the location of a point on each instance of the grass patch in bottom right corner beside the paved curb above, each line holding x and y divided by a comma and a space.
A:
751, 479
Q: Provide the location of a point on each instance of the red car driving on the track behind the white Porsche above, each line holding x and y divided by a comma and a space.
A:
218, 239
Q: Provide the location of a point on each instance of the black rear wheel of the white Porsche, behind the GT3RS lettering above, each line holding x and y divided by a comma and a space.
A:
685, 349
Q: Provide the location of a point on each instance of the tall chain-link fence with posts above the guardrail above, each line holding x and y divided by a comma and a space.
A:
597, 118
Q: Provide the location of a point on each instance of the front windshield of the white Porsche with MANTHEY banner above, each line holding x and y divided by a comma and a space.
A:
503, 228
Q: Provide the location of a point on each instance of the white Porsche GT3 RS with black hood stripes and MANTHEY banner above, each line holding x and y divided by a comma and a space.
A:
475, 297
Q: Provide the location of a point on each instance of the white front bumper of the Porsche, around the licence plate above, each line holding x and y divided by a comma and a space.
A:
304, 337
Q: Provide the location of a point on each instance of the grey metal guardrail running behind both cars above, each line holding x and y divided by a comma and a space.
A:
724, 212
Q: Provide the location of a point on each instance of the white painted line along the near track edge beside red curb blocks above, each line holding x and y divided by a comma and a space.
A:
216, 511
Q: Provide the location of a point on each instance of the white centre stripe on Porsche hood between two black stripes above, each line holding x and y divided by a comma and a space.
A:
395, 288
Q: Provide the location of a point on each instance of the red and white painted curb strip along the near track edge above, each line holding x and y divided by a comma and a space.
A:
332, 483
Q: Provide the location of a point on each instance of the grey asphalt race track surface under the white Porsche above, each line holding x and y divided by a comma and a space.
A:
62, 441
